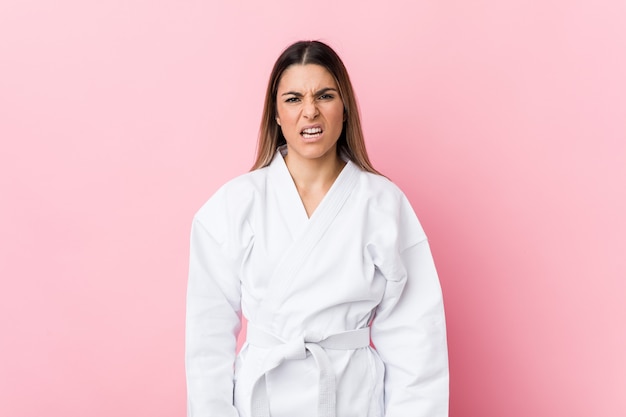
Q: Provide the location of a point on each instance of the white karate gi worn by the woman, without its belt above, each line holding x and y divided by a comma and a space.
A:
361, 259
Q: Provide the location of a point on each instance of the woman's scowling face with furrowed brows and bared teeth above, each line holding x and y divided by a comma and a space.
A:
310, 112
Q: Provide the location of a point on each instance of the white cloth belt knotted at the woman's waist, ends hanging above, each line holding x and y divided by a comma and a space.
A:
296, 349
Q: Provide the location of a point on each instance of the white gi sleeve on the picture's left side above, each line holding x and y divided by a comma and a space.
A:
212, 324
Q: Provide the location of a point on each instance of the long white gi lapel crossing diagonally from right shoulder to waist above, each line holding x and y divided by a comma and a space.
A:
309, 235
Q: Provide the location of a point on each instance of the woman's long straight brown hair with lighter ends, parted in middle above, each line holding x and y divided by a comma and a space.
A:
350, 141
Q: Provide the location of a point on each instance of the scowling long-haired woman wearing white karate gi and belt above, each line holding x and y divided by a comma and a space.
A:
322, 255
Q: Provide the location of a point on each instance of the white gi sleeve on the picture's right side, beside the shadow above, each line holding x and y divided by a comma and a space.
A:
409, 329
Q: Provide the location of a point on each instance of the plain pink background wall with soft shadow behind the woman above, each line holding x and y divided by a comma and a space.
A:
503, 121
